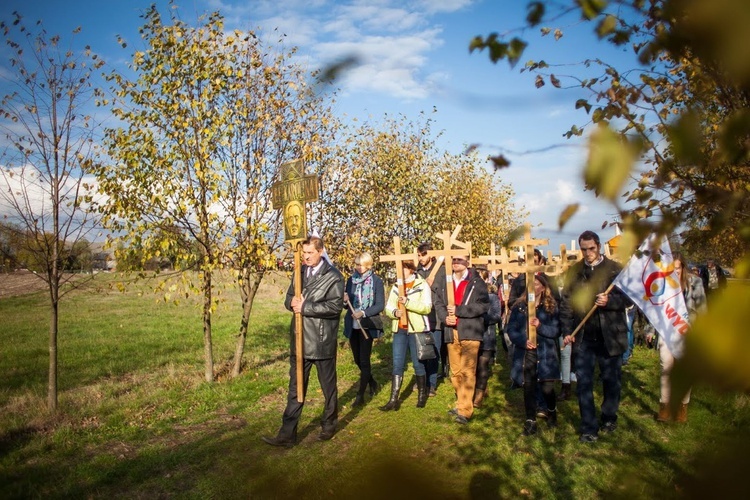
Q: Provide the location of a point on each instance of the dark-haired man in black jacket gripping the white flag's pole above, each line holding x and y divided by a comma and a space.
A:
602, 339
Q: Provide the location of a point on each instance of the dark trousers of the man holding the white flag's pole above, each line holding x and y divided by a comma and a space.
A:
588, 354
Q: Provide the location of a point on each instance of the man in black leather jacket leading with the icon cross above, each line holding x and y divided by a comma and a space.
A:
320, 305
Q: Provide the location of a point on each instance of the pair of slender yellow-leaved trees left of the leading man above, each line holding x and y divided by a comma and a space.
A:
206, 124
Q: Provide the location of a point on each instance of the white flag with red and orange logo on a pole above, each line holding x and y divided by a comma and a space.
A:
653, 285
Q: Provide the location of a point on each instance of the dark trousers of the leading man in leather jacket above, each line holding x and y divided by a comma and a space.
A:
326, 369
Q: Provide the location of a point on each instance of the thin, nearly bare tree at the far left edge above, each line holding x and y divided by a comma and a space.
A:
47, 150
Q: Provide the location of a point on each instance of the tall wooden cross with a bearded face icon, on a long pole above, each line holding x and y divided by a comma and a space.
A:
290, 194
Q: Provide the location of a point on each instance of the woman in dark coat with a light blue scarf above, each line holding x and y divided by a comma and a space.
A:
364, 298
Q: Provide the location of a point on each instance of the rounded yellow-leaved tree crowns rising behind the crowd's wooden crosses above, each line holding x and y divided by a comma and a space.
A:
391, 180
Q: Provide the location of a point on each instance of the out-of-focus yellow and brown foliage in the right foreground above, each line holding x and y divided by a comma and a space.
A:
684, 115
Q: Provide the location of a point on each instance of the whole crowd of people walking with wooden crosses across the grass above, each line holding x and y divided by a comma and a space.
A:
452, 324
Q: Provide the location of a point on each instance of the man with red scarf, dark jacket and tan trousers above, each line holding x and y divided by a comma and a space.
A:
464, 329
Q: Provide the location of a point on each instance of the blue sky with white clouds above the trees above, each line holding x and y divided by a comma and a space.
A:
413, 57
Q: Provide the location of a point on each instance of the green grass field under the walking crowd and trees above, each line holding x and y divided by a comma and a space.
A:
136, 419
